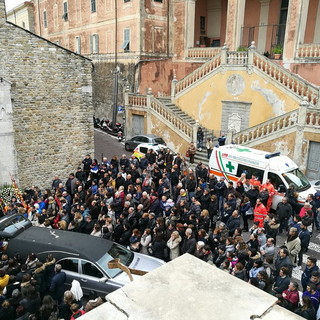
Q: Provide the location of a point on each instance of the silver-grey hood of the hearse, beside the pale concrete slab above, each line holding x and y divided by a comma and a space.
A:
139, 262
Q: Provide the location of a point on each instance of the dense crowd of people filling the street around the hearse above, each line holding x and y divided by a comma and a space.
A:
162, 207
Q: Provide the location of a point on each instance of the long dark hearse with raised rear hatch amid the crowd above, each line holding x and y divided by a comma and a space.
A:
82, 257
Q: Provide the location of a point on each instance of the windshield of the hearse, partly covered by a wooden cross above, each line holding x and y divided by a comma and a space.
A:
116, 251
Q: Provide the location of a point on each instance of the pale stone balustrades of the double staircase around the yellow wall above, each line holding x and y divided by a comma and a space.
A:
185, 126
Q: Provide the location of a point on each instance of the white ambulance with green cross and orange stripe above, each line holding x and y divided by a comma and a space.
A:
230, 161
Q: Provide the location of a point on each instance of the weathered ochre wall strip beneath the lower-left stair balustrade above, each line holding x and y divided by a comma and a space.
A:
173, 140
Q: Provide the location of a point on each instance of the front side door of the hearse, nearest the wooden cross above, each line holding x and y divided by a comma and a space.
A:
91, 279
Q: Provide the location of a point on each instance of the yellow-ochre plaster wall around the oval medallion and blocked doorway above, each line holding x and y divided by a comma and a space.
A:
204, 102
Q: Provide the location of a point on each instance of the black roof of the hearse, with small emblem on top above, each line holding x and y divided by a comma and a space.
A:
41, 240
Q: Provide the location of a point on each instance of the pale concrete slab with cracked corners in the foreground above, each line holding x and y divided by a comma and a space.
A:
188, 288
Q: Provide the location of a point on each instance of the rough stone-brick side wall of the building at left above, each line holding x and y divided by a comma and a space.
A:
52, 104
